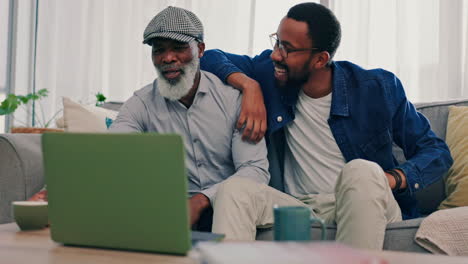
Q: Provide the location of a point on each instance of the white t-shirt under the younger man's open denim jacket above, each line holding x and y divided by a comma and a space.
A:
313, 160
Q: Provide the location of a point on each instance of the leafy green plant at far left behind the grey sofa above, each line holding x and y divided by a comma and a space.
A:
14, 102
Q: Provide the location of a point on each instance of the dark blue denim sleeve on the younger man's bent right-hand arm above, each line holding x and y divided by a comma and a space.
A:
428, 157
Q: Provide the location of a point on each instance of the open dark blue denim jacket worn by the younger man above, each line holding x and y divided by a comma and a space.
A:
369, 113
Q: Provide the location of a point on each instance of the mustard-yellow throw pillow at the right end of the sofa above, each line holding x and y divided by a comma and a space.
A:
456, 182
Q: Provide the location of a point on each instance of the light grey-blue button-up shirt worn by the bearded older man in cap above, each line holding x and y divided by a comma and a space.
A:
214, 147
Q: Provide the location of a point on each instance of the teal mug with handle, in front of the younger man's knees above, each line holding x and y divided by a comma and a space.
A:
293, 223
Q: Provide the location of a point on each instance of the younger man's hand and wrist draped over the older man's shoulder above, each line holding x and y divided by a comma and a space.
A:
253, 113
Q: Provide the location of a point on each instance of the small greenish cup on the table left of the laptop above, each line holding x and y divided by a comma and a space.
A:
30, 215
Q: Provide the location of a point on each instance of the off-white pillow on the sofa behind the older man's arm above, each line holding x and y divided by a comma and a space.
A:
85, 118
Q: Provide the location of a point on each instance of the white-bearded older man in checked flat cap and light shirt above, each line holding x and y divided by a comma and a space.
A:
196, 105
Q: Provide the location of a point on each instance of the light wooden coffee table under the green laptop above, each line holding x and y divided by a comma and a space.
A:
36, 247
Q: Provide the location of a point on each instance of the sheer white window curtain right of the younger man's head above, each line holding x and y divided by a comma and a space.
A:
422, 41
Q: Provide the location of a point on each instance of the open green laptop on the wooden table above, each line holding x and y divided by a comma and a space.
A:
120, 191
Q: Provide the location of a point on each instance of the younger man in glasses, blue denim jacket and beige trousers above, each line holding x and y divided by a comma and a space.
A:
331, 126
